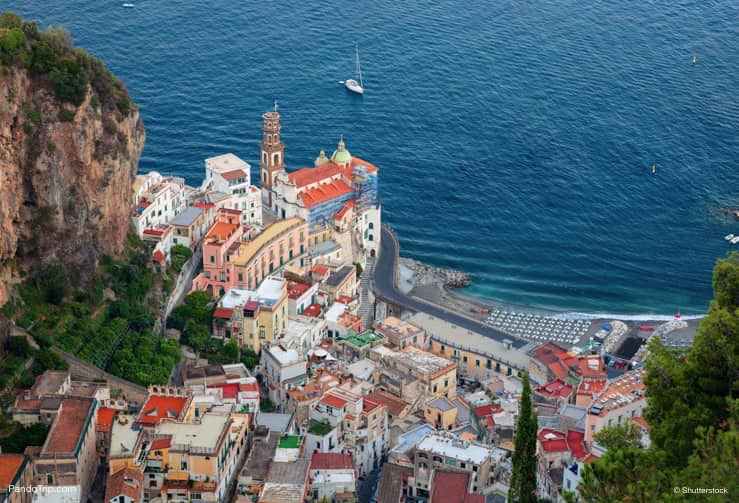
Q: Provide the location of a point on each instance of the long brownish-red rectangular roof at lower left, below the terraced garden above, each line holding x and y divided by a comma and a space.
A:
69, 425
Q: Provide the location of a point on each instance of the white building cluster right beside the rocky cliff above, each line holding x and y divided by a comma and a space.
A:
156, 200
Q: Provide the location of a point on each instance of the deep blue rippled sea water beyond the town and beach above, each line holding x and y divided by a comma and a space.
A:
514, 138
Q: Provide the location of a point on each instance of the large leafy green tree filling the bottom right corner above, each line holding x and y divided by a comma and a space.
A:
692, 411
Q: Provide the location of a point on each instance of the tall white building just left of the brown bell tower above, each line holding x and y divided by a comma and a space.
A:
230, 175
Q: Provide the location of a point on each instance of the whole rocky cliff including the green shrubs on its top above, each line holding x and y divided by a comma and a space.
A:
70, 141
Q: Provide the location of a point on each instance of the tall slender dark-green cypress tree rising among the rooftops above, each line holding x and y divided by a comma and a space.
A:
523, 475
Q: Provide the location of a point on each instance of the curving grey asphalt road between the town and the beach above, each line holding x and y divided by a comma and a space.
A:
384, 285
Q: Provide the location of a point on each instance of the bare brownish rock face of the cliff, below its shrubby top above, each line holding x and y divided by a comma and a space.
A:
66, 174
